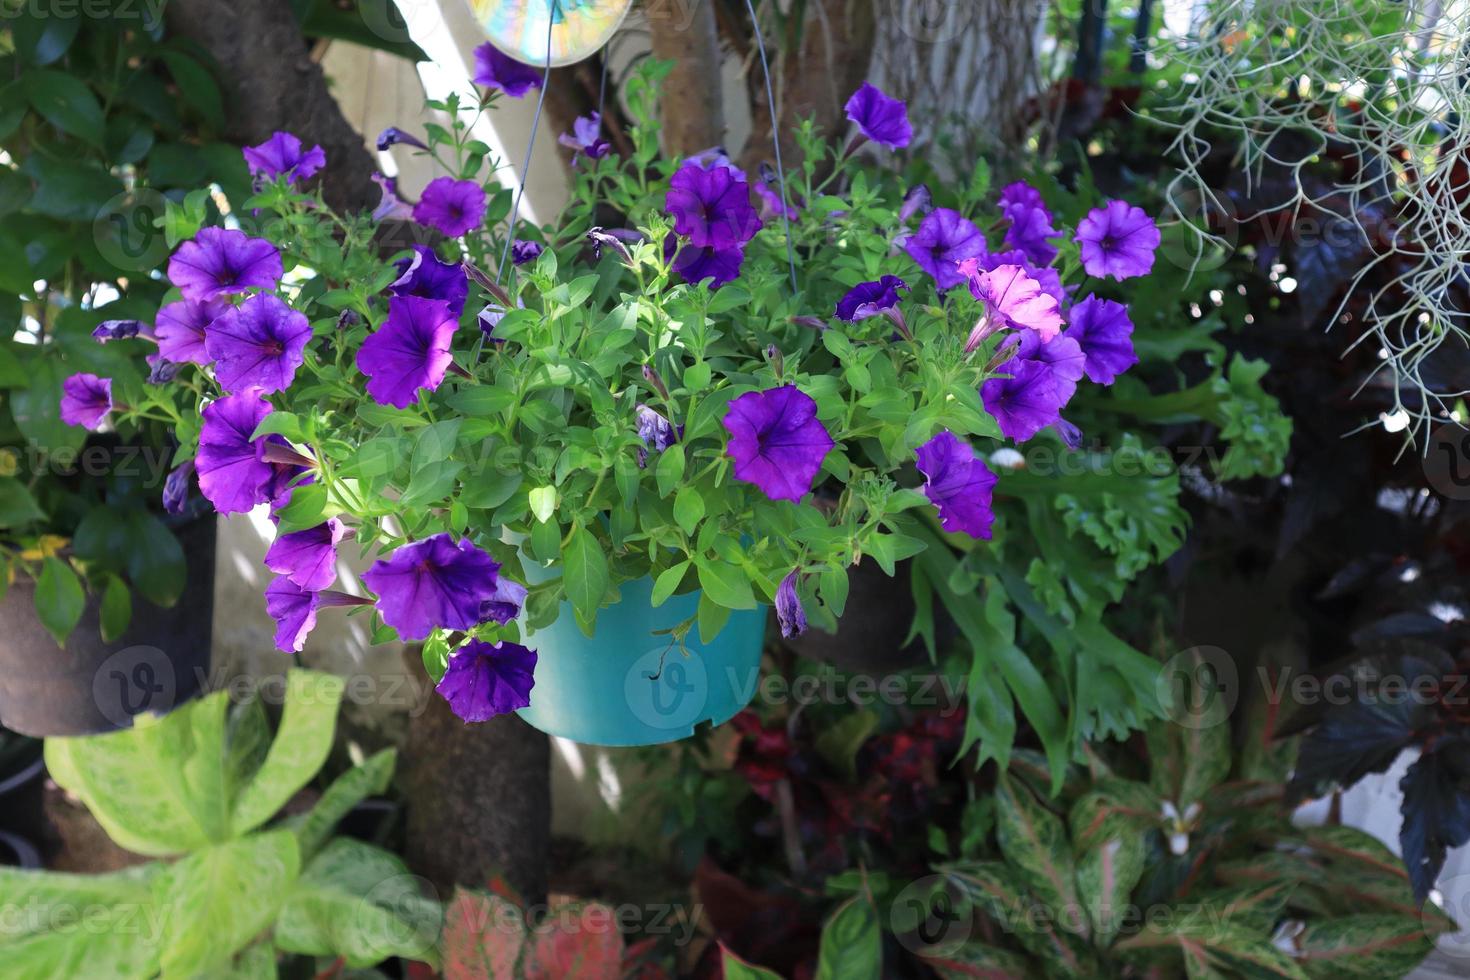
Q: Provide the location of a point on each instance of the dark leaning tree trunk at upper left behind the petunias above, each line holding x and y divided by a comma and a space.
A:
273, 83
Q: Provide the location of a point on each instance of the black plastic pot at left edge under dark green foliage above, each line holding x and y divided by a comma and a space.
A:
92, 687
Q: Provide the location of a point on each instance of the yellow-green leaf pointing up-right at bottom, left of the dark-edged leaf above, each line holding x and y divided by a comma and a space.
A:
221, 898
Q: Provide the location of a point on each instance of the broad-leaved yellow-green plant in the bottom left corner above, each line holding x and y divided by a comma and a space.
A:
232, 885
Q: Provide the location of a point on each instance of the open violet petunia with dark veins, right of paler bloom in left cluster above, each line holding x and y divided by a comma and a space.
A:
258, 345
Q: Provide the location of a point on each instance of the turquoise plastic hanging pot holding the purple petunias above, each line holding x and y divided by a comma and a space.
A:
630, 687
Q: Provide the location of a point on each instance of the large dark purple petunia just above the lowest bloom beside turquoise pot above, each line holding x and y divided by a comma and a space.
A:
434, 584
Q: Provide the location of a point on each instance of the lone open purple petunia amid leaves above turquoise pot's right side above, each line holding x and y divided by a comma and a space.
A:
777, 442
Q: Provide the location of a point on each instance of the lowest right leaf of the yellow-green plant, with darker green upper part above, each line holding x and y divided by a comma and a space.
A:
362, 904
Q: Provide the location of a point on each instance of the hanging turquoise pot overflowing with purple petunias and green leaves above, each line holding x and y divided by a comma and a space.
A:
584, 475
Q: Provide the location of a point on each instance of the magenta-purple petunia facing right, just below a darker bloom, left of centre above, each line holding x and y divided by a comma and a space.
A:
409, 352
